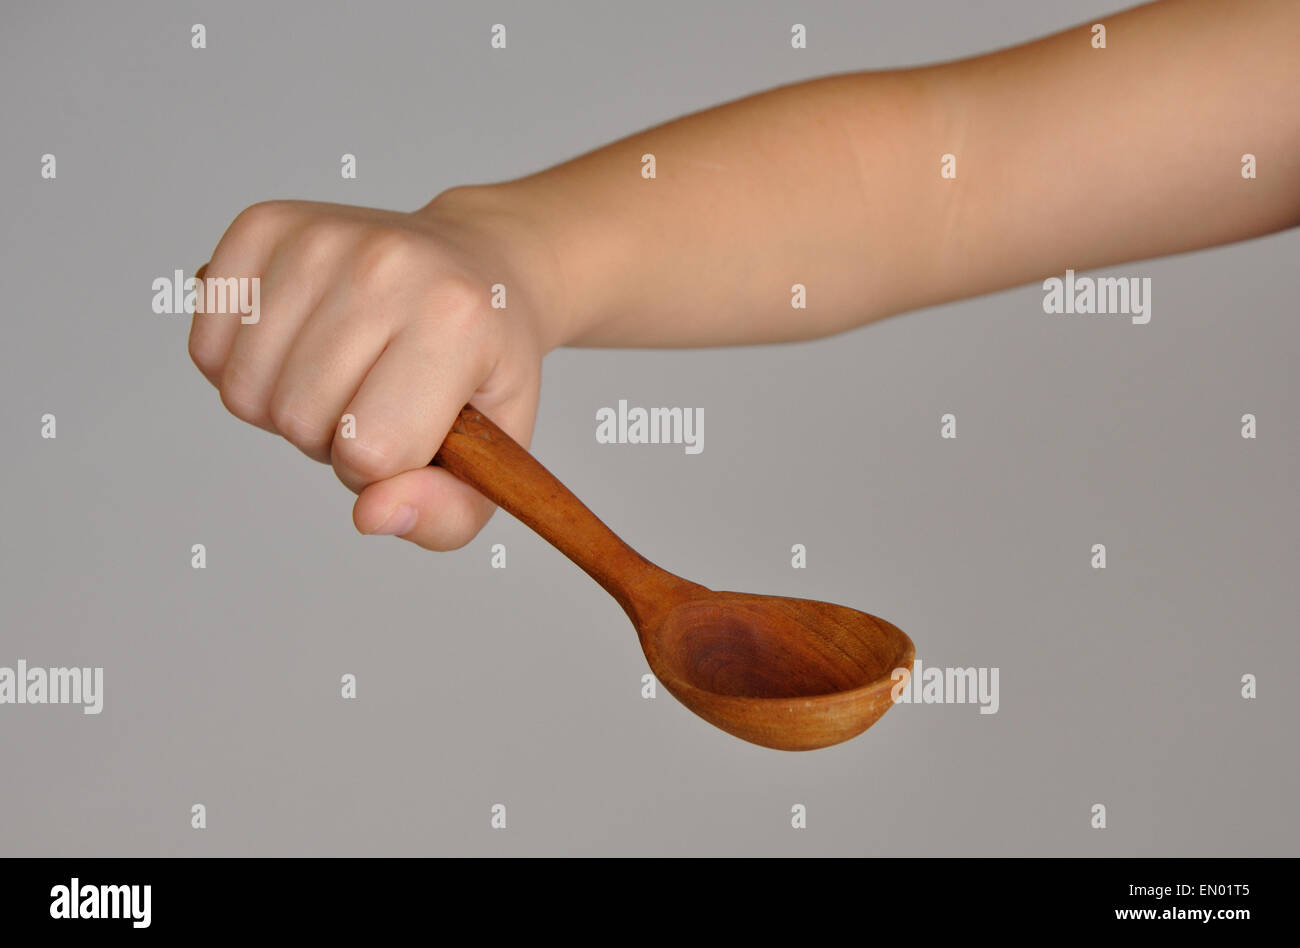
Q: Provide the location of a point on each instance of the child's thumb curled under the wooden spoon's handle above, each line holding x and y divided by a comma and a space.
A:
432, 508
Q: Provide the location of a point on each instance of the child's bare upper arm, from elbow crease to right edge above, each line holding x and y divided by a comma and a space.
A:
1081, 158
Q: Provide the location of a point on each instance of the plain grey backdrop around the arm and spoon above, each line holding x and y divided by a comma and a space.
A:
482, 686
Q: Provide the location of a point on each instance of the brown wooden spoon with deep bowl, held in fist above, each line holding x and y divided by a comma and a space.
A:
788, 674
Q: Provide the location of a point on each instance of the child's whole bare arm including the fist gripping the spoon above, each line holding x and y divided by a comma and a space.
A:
1067, 157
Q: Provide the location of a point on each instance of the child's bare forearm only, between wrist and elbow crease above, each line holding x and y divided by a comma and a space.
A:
748, 200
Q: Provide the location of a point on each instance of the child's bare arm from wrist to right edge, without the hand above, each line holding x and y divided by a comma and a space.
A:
1067, 157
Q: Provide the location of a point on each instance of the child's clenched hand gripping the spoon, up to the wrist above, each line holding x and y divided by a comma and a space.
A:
387, 318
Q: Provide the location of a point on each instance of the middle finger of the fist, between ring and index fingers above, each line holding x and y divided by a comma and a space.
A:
330, 358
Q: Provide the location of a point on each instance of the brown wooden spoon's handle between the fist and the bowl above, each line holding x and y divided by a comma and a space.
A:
495, 465
